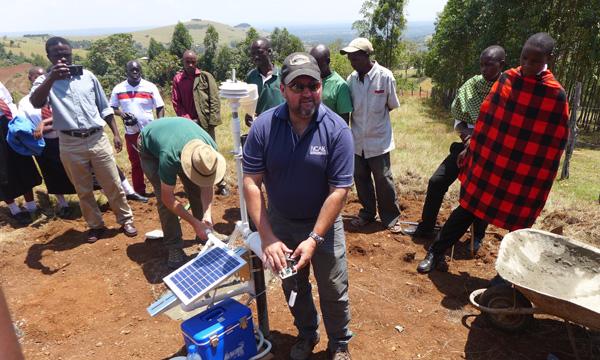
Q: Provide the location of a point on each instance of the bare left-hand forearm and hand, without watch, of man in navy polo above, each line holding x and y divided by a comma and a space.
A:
274, 250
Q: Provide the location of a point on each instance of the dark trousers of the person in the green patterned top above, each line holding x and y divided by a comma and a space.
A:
437, 187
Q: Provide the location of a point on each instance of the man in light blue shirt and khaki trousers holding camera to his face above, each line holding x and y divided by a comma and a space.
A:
80, 111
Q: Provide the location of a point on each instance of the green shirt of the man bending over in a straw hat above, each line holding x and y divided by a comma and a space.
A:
165, 138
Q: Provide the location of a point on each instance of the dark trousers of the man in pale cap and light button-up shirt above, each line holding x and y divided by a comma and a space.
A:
381, 197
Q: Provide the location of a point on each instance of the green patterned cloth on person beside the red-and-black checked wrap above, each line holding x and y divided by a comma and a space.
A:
469, 98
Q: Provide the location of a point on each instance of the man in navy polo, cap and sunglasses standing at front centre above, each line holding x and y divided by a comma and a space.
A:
302, 151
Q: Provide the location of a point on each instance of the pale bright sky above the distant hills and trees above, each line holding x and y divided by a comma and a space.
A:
48, 15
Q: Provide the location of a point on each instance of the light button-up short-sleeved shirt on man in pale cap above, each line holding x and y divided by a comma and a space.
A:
373, 99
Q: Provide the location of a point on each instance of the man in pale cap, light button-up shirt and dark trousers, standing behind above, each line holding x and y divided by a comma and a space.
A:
373, 90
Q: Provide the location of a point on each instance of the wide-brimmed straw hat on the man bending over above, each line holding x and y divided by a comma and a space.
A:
202, 164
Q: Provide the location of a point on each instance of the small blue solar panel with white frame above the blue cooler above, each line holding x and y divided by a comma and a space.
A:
203, 273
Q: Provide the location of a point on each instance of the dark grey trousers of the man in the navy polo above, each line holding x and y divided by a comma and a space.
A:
331, 272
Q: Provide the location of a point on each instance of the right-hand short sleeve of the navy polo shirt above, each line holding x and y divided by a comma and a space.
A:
341, 170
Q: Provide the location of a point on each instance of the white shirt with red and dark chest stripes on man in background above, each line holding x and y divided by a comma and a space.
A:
139, 100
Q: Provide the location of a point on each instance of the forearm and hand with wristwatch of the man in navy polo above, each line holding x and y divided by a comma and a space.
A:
329, 212
